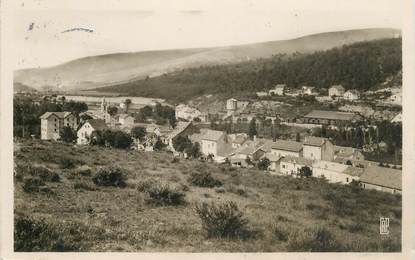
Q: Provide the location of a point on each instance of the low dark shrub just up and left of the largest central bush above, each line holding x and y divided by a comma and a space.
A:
163, 195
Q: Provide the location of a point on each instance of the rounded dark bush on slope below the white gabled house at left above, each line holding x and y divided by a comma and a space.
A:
110, 176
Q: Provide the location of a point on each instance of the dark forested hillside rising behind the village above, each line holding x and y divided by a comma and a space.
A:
361, 66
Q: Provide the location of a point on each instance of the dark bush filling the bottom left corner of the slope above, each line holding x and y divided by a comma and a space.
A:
32, 235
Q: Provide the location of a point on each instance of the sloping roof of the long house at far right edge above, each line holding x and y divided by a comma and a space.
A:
382, 176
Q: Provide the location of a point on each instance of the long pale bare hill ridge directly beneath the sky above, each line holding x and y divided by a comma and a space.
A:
105, 70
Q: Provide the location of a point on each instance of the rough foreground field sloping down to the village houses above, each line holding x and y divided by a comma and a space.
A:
70, 212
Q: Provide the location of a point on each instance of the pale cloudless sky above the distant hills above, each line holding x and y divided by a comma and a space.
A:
48, 32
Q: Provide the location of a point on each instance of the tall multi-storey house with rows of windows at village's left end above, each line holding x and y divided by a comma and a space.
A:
52, 123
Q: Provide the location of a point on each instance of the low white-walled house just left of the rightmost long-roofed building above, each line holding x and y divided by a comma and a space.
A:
336, 172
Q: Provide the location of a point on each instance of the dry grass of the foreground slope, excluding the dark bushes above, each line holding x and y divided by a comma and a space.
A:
114, 219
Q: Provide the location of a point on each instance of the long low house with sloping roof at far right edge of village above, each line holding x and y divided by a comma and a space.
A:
382, 179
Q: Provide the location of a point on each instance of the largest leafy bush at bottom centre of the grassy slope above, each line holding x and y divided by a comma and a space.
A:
223, 220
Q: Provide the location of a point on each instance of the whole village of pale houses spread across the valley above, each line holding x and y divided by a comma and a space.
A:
195, 133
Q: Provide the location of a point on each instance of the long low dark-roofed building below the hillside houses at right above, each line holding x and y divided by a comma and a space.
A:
323, 117
